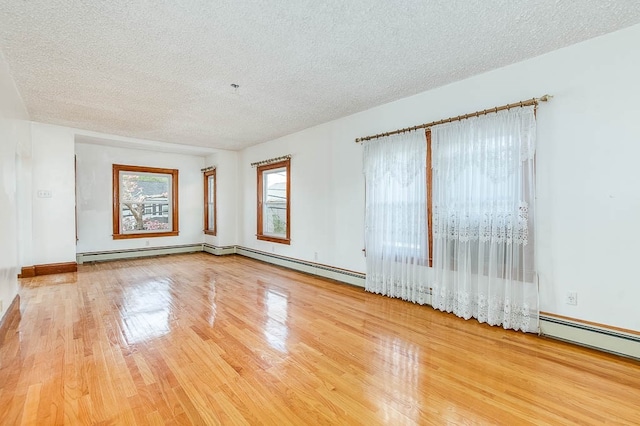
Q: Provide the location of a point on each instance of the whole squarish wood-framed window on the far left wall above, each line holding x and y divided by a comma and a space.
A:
145, 202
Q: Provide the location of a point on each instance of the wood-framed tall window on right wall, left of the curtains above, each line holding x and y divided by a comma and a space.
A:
273, 202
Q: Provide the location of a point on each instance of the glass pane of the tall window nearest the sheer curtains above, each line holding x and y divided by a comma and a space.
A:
275, 202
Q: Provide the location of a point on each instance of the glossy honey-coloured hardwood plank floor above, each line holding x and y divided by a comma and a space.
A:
200, 339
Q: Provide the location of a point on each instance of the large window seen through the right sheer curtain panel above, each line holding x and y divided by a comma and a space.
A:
482, 175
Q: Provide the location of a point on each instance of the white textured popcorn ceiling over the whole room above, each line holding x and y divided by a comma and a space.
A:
162, 70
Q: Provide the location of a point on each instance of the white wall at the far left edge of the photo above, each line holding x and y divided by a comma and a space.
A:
13, 130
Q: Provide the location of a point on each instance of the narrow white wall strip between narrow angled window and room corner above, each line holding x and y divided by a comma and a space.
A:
226, 163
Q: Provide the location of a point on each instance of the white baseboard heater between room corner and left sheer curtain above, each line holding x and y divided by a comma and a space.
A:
342, 275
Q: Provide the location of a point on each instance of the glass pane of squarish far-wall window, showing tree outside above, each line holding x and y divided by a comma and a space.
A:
144, 202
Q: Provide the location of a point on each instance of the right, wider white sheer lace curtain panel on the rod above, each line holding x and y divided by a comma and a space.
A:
483, 210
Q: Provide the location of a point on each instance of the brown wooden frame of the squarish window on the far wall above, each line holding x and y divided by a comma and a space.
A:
117, 168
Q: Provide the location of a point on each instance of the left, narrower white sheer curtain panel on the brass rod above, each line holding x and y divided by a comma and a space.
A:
396, 216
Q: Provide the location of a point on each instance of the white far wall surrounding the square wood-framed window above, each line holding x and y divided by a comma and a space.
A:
94, 170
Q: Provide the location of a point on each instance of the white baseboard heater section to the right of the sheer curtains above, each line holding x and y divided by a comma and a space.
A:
596, 337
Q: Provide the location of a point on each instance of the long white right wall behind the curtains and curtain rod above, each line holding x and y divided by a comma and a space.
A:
588, 193
